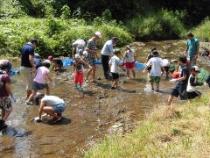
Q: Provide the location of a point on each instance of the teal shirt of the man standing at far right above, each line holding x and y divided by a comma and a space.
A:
192, 47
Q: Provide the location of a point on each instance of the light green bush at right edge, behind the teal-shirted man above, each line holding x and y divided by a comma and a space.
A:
203, 30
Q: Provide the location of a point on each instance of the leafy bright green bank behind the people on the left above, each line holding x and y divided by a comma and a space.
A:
55, 36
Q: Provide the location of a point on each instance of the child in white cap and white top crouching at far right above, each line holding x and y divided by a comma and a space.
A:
192, 83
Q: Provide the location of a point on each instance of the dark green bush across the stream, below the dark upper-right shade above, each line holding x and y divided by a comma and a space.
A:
160, 25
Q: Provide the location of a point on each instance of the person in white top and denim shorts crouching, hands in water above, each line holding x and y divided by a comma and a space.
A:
51, 105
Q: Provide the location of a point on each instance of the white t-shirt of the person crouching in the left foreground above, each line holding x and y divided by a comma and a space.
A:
53, 101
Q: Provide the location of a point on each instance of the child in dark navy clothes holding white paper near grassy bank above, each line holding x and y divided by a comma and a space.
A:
181, 85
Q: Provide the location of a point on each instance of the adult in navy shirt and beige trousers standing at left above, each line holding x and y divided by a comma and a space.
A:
27, 64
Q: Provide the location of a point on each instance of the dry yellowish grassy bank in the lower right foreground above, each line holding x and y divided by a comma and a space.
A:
182, 133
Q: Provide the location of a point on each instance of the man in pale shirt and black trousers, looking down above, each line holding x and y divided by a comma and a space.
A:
106, 54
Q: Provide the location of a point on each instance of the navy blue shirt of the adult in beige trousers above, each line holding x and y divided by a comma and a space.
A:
25, 52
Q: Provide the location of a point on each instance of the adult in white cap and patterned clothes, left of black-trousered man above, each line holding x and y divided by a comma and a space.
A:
92, 54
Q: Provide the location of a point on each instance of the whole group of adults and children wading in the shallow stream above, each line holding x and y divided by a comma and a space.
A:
37, 77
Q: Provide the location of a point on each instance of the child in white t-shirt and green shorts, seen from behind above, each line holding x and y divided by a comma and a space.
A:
155, 73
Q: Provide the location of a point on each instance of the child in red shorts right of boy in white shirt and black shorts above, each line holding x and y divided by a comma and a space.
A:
129, 60
